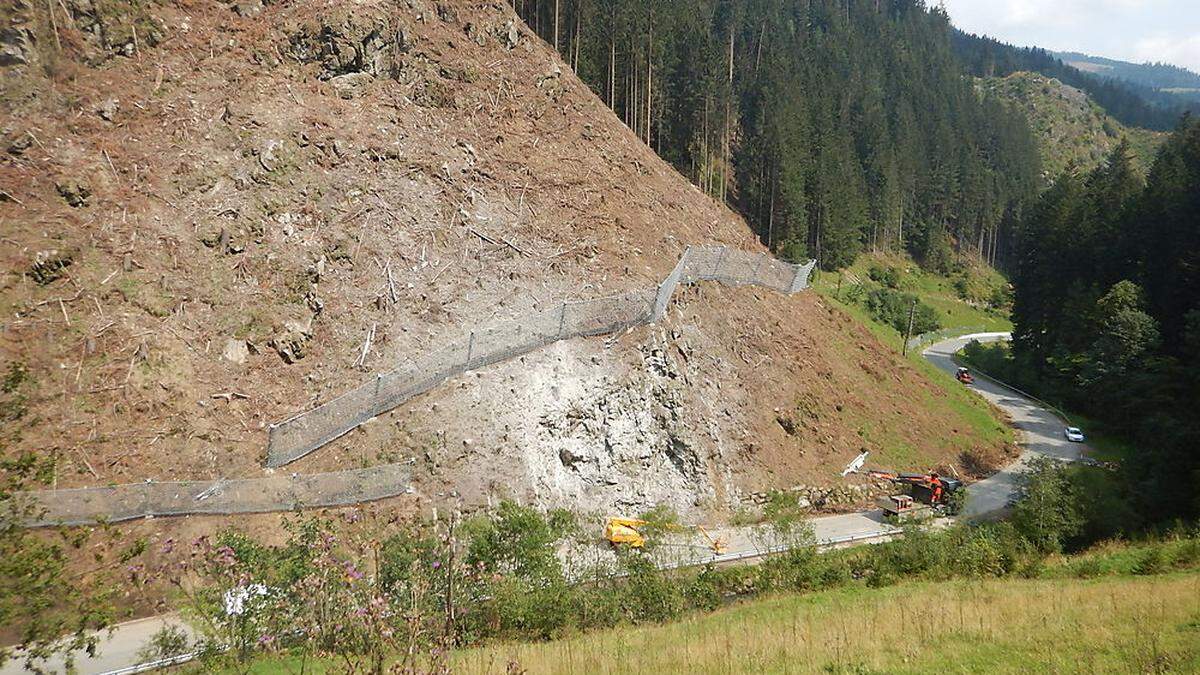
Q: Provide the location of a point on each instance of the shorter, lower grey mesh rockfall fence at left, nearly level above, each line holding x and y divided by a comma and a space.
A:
113, 504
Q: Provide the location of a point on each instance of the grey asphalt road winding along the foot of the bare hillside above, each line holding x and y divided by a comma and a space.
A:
1041, 433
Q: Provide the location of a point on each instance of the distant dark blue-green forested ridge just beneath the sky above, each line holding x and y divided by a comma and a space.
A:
1131, 104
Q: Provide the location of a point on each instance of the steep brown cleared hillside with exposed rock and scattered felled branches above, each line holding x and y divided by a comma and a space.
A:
209, 208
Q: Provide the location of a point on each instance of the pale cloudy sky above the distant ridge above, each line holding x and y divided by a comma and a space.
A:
1129, 31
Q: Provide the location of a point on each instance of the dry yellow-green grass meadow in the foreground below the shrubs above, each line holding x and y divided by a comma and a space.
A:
1113, 625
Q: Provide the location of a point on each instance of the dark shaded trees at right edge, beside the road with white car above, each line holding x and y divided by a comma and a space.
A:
1108, 312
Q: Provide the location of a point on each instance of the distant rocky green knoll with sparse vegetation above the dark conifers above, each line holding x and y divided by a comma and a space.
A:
1070, 127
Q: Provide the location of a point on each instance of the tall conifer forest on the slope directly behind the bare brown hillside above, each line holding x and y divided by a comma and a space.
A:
832, 126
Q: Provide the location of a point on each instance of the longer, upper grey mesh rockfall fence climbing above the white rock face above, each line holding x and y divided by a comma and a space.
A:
303, 434
